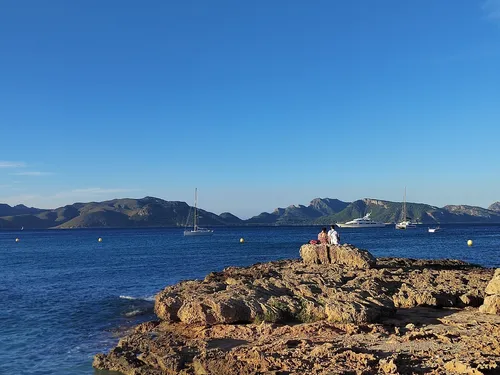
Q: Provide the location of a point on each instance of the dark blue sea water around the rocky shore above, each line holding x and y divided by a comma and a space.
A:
65, 296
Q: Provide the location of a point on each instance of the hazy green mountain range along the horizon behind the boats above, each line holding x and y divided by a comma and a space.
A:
156, 212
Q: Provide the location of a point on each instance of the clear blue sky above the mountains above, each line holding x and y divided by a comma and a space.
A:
259, 103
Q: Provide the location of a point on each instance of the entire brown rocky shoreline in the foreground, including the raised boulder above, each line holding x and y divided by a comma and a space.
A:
338, 310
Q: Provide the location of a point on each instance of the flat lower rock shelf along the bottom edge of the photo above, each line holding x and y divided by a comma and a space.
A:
415, 341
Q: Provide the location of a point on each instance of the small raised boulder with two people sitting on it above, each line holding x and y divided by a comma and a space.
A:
346, 255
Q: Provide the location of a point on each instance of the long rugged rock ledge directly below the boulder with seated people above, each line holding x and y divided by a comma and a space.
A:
275, 292
